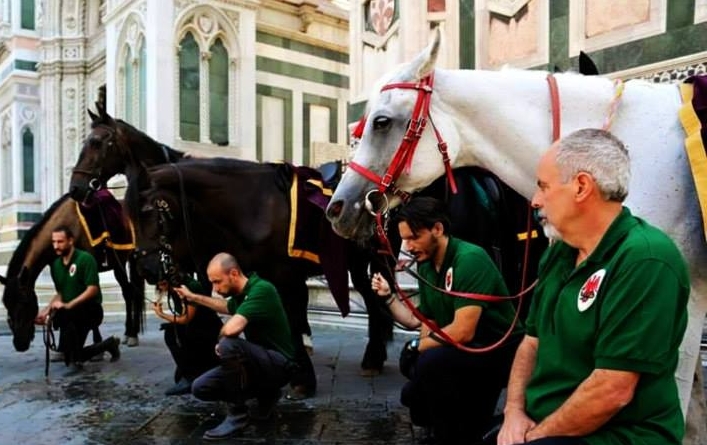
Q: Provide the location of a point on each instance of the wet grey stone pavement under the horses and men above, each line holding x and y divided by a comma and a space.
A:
123, 402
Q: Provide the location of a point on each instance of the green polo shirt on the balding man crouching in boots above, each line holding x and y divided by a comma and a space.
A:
267, 324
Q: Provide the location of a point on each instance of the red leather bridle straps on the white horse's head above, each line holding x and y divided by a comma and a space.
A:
403, 156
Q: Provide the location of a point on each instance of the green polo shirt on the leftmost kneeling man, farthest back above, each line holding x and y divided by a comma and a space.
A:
72, 279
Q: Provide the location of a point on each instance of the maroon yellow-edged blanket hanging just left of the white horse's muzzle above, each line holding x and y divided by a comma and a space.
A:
311, 236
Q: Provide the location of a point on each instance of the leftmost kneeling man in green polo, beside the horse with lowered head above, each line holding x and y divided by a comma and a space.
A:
76, 307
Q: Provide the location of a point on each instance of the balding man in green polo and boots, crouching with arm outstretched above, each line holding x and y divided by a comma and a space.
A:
256, 366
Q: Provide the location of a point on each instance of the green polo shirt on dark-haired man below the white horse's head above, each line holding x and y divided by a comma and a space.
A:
467, 268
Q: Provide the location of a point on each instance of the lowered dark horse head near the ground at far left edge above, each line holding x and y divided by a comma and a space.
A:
20, 301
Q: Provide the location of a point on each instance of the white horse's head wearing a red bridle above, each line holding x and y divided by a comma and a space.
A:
402, 108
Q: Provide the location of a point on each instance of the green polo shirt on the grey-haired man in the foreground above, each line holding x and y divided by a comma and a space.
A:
623, 308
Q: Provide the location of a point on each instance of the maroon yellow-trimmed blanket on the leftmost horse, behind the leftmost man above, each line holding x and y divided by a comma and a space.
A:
102, 220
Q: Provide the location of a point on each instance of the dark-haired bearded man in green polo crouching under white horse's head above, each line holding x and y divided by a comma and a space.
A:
451, 391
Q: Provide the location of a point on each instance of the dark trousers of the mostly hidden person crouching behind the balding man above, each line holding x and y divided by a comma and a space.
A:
192, 348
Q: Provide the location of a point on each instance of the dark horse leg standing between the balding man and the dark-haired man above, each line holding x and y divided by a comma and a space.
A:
380, 321
